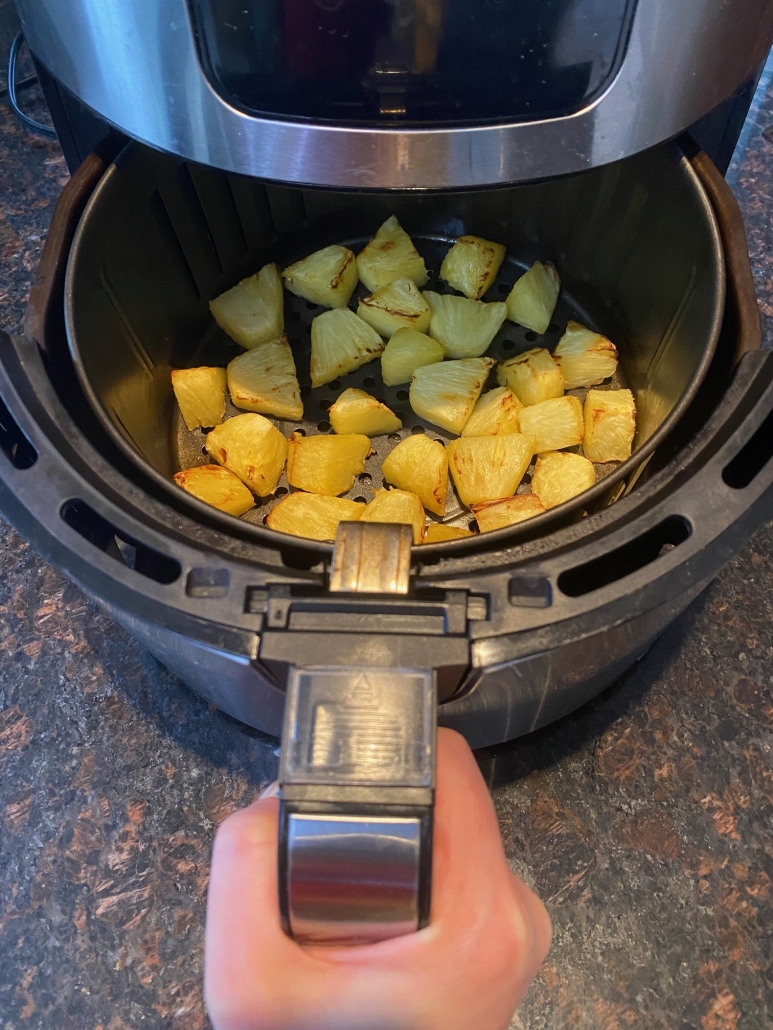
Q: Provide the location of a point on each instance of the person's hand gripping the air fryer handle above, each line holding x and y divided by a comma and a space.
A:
469, 970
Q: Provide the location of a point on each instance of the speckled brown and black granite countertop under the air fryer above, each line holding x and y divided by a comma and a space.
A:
646, 820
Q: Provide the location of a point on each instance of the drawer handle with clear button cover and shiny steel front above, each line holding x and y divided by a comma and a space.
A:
357, 774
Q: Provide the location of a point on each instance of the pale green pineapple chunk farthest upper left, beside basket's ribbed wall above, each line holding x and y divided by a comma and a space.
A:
253, 312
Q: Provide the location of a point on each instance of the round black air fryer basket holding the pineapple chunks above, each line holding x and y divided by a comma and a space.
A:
636, 245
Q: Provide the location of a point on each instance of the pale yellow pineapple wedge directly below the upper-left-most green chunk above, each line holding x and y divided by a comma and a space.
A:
264, 381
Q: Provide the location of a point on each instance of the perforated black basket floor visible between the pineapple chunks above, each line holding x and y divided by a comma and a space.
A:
217, 349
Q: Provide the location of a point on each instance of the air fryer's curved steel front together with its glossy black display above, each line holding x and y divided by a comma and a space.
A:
416, 94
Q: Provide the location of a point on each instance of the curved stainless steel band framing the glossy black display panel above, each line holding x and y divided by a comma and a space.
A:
137, 65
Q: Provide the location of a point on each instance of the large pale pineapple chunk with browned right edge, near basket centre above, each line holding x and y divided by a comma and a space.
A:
446, 393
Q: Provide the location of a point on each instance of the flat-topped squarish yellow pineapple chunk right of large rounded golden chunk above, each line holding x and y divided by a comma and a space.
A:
326, 465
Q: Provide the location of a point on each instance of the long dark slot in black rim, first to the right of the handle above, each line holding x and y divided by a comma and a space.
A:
627, 560
